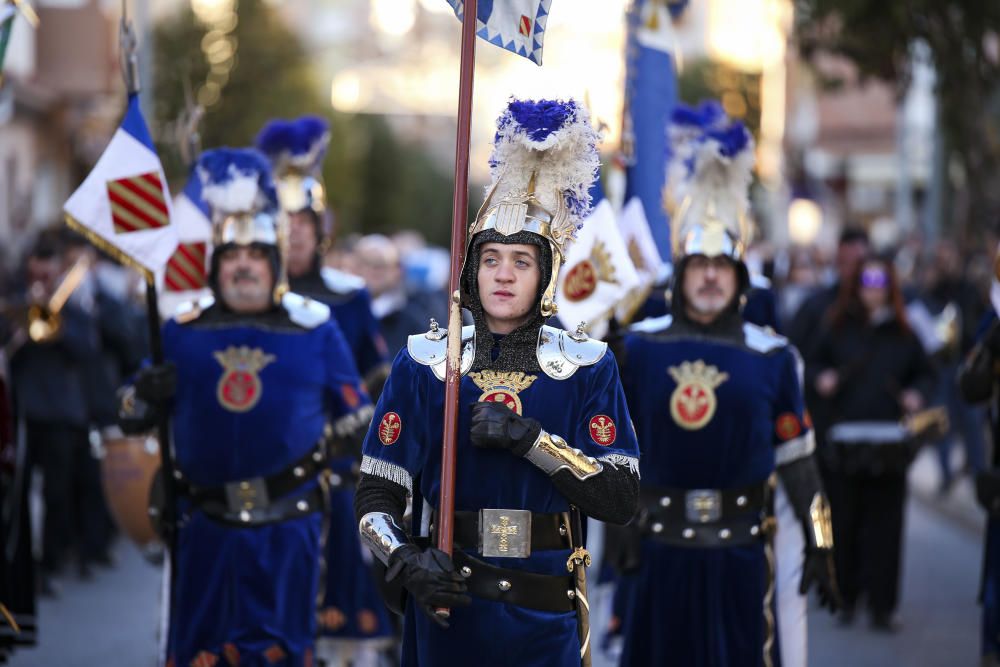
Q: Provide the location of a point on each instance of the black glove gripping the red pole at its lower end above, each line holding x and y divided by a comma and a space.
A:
431, 579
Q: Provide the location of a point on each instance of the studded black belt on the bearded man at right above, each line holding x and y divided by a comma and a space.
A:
708, 517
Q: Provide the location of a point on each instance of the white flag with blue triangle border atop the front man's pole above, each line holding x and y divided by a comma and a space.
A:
515, 25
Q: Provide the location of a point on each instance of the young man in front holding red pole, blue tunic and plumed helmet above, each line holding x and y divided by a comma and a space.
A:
544, 432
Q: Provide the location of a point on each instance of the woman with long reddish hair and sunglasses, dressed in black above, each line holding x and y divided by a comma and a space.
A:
869, 370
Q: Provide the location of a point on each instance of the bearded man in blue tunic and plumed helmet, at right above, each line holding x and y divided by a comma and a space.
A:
718, 409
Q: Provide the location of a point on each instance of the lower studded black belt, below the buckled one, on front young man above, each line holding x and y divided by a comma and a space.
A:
541, 592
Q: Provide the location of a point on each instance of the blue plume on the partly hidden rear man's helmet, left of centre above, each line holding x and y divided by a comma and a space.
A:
295, 145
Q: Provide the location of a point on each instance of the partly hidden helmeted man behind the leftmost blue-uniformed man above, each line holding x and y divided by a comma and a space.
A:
353, 621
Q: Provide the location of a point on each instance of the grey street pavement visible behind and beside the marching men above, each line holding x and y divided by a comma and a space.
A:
112, 620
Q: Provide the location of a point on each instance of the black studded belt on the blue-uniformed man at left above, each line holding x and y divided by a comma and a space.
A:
262, 500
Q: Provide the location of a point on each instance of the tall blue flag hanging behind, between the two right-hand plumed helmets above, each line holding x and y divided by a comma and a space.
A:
650, 95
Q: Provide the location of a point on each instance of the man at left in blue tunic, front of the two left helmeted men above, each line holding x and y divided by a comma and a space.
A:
250, 381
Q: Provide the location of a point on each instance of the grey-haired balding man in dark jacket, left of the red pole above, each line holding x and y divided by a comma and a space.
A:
398, 313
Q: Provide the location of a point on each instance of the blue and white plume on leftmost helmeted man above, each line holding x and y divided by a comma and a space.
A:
235, 181
